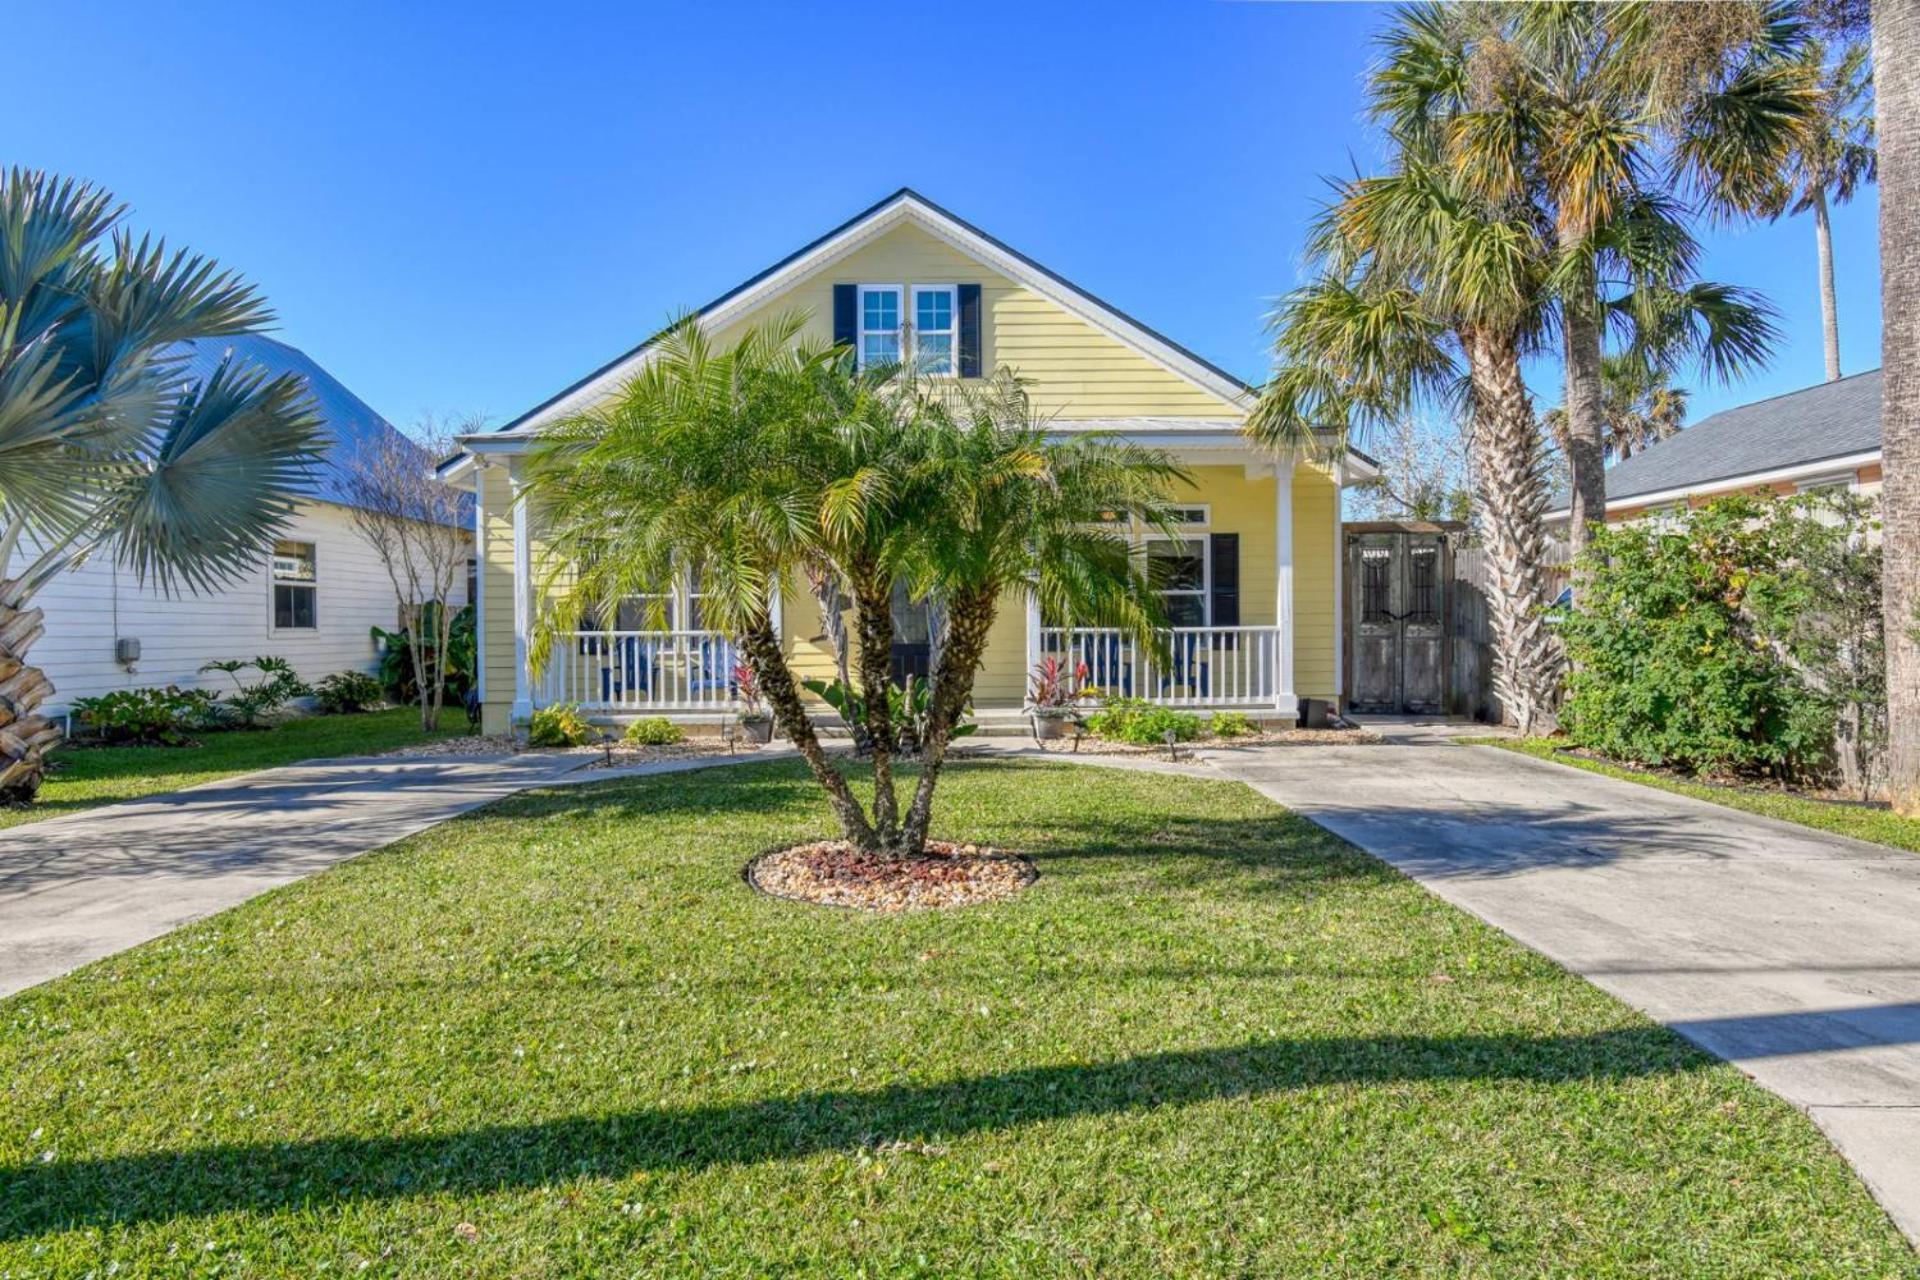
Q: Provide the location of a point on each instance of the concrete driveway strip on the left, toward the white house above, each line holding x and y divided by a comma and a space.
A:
87, 886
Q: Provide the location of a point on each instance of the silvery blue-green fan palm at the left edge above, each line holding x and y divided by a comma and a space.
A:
103, 448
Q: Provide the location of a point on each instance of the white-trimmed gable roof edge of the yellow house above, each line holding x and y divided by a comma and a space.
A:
876, 220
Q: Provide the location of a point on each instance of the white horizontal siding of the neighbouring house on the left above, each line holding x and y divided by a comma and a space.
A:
89, 607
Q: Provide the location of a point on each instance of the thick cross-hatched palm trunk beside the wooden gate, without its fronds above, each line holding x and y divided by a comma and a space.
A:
1512, 504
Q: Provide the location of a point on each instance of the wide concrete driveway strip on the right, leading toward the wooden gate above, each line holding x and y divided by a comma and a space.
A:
1787, 951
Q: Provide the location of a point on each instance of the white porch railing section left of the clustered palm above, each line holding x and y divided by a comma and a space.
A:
642, 673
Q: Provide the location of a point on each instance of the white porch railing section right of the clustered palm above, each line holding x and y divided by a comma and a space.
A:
1191, 667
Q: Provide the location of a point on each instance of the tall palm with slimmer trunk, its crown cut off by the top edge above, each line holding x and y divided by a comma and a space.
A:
1600, 114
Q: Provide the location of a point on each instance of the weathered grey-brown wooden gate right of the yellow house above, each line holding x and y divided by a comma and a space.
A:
1397, 604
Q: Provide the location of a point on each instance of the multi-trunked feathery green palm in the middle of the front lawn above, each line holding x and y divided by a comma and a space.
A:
773, 462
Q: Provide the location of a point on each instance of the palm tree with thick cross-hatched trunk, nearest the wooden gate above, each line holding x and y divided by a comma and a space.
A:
1429, 295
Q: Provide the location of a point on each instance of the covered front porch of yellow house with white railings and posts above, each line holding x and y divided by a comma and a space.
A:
1249, 582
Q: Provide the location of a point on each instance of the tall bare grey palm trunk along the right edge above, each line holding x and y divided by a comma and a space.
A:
1898, 89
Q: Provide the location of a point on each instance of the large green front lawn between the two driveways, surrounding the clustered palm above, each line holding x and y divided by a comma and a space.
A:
564, 1039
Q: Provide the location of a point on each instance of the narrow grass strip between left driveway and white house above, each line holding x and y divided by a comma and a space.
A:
89, 776
